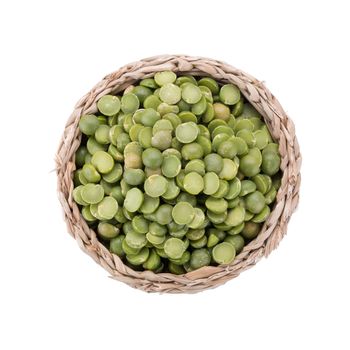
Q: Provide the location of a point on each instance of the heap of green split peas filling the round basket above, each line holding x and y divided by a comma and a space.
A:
176, 173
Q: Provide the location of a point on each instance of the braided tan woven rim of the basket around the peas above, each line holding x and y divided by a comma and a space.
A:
280, 126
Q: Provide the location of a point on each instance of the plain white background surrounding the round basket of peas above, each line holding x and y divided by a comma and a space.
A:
52, 295
